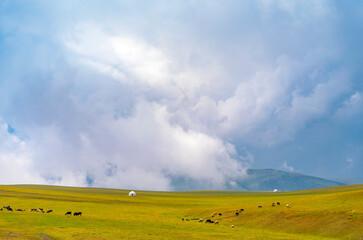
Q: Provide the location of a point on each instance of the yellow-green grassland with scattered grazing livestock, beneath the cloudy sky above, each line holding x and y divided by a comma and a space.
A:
329, 213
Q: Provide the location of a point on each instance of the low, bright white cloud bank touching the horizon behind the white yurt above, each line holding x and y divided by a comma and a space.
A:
141, 151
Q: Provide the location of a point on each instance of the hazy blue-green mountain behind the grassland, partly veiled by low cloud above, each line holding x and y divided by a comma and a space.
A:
261, 180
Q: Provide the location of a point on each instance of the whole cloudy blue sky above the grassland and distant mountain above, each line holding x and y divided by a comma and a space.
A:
133, 94
